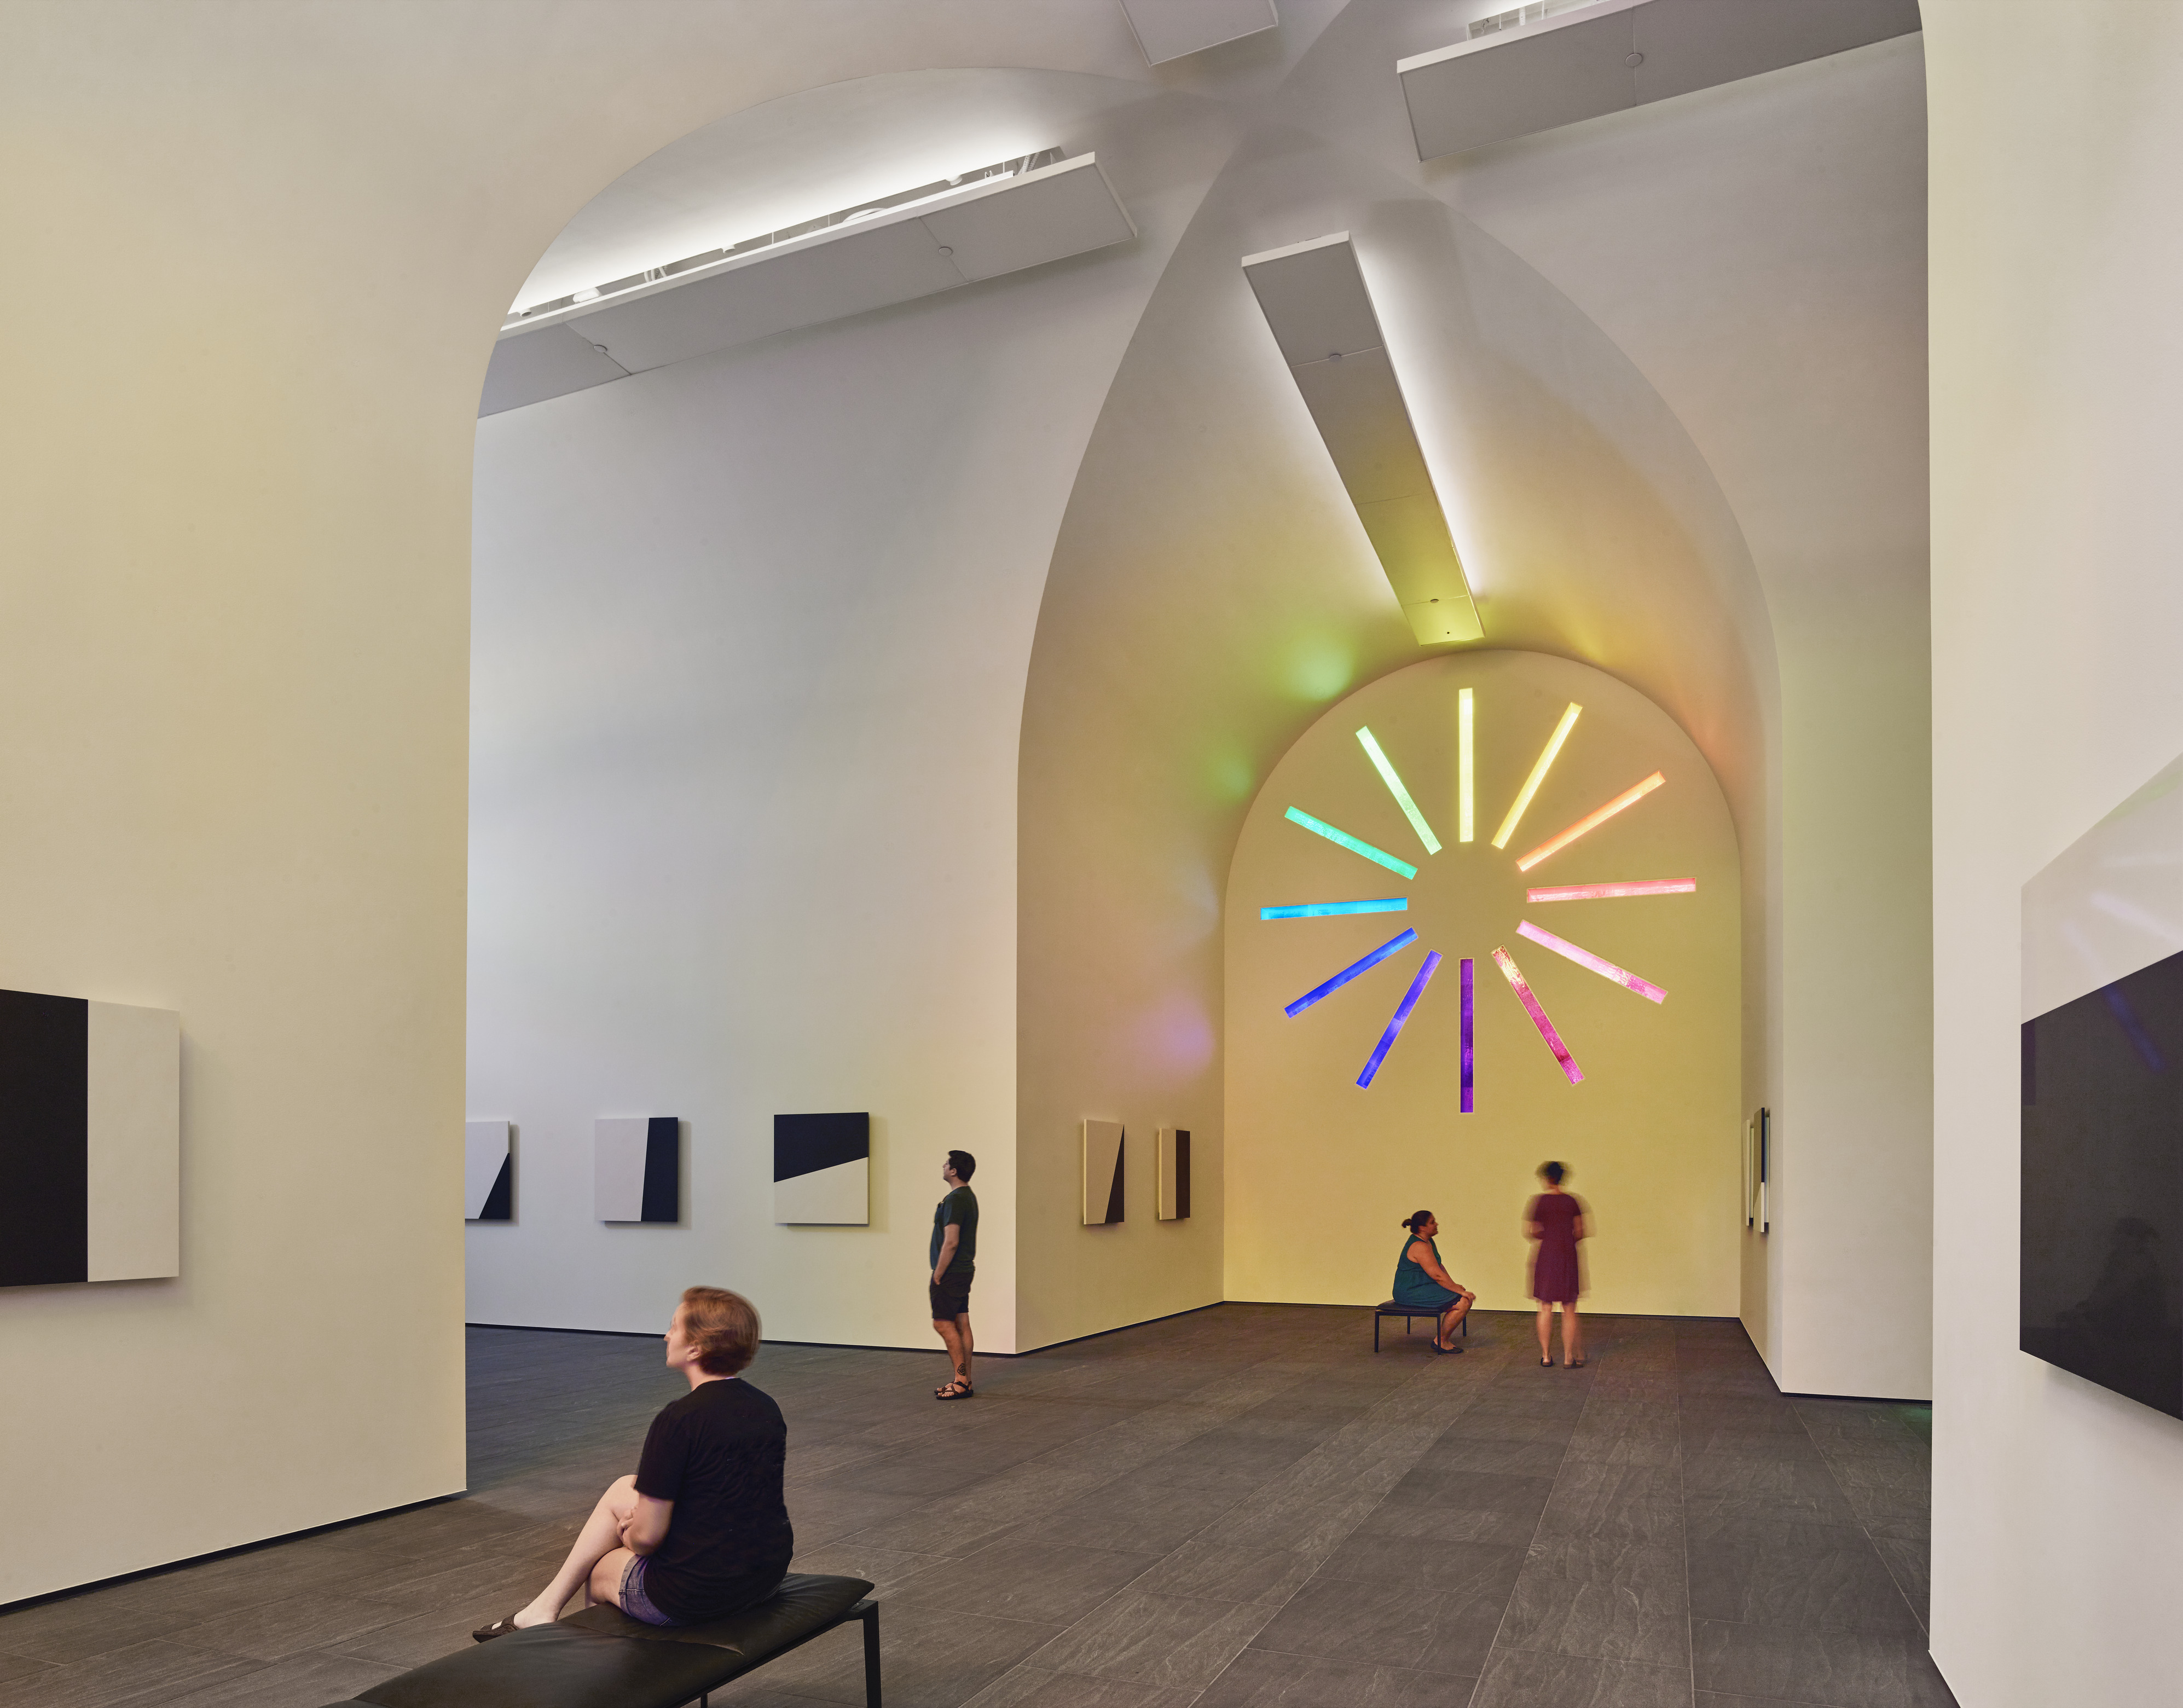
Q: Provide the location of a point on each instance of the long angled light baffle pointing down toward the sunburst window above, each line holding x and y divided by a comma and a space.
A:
1324, 322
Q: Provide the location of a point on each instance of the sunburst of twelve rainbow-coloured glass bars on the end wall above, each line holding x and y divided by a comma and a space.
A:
1466, 833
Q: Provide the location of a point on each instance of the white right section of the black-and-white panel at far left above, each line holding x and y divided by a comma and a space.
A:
134, 1143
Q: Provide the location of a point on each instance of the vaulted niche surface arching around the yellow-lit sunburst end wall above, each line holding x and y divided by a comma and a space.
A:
1213, 595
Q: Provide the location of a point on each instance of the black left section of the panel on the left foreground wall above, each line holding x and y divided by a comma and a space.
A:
45, 1152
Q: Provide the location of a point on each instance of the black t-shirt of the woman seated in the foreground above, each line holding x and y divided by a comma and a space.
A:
719, 1456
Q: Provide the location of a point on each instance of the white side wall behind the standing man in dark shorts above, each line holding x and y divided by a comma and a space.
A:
750, 663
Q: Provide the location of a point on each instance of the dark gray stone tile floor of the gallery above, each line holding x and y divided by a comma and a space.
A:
1226, 1510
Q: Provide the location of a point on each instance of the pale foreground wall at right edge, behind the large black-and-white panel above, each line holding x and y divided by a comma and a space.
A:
2057, 377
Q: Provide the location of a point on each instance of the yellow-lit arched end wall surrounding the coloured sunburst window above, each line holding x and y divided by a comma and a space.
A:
1324, 1170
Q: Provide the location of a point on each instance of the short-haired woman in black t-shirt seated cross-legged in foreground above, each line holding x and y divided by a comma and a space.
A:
702, 1530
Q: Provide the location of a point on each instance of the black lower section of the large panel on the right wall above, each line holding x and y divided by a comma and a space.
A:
2103, 1187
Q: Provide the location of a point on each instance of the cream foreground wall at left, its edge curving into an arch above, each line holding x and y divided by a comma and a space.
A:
237, 532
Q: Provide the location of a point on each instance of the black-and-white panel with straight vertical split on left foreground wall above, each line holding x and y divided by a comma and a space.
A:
91, 1141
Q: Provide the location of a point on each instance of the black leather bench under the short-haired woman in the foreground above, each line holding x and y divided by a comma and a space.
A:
601, 1659
